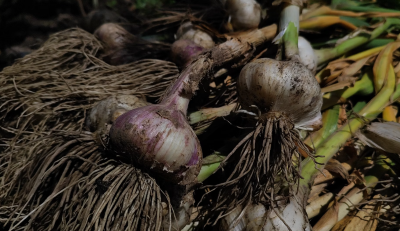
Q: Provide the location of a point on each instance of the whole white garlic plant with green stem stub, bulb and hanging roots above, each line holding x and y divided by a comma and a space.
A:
286, 97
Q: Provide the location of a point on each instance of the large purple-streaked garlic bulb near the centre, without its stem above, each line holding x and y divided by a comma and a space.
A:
159, 138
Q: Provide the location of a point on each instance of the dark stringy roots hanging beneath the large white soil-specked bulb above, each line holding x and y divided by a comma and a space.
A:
264, 171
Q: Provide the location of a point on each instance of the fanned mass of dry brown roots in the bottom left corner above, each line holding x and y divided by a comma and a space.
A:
68, 184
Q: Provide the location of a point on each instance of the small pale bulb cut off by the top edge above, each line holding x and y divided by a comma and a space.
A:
244, 14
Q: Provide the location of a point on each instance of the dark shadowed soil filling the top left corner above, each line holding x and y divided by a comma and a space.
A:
26, 24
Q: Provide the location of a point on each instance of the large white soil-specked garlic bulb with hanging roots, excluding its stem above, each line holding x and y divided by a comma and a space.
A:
288, 97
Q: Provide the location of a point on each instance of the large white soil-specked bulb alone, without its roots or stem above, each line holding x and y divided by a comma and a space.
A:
282, 86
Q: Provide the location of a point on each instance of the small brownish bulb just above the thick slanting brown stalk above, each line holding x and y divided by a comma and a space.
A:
199, 37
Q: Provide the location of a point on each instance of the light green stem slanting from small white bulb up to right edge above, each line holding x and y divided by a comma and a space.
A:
325, 55
